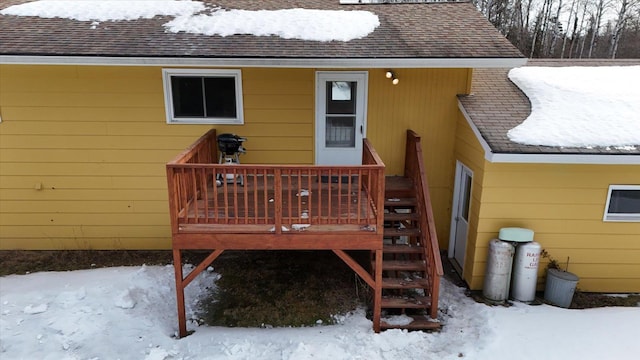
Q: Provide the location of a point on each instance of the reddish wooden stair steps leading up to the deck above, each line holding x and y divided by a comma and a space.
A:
405, 283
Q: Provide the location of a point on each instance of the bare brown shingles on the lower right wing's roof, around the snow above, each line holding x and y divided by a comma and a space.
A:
496, 105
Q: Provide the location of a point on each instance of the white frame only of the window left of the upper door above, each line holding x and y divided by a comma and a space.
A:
236, 74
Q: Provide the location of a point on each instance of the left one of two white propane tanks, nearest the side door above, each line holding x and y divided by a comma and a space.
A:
497, 276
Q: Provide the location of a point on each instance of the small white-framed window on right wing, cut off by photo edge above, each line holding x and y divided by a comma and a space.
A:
623, 203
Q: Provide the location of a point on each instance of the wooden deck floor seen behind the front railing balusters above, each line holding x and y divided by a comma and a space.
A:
305, 199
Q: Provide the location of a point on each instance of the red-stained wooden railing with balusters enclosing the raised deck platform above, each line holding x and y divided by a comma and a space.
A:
272, 198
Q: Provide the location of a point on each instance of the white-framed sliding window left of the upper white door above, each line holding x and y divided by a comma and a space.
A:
203, 96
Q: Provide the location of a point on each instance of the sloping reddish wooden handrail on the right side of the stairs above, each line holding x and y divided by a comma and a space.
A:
414, 169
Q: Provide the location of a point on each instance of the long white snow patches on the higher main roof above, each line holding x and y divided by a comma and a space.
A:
198, 18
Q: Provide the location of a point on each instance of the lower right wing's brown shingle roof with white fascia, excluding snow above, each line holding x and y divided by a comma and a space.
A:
496, 105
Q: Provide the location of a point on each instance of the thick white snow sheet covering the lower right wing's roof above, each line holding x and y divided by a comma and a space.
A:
580, 106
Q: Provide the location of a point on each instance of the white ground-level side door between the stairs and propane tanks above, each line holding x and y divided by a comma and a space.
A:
460, 214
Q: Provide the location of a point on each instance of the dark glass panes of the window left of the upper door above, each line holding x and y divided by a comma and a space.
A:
205, 97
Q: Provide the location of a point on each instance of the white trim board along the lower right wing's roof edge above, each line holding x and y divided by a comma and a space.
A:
594, 159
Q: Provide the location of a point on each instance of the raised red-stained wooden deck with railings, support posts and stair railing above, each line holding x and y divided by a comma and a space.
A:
220, 207
